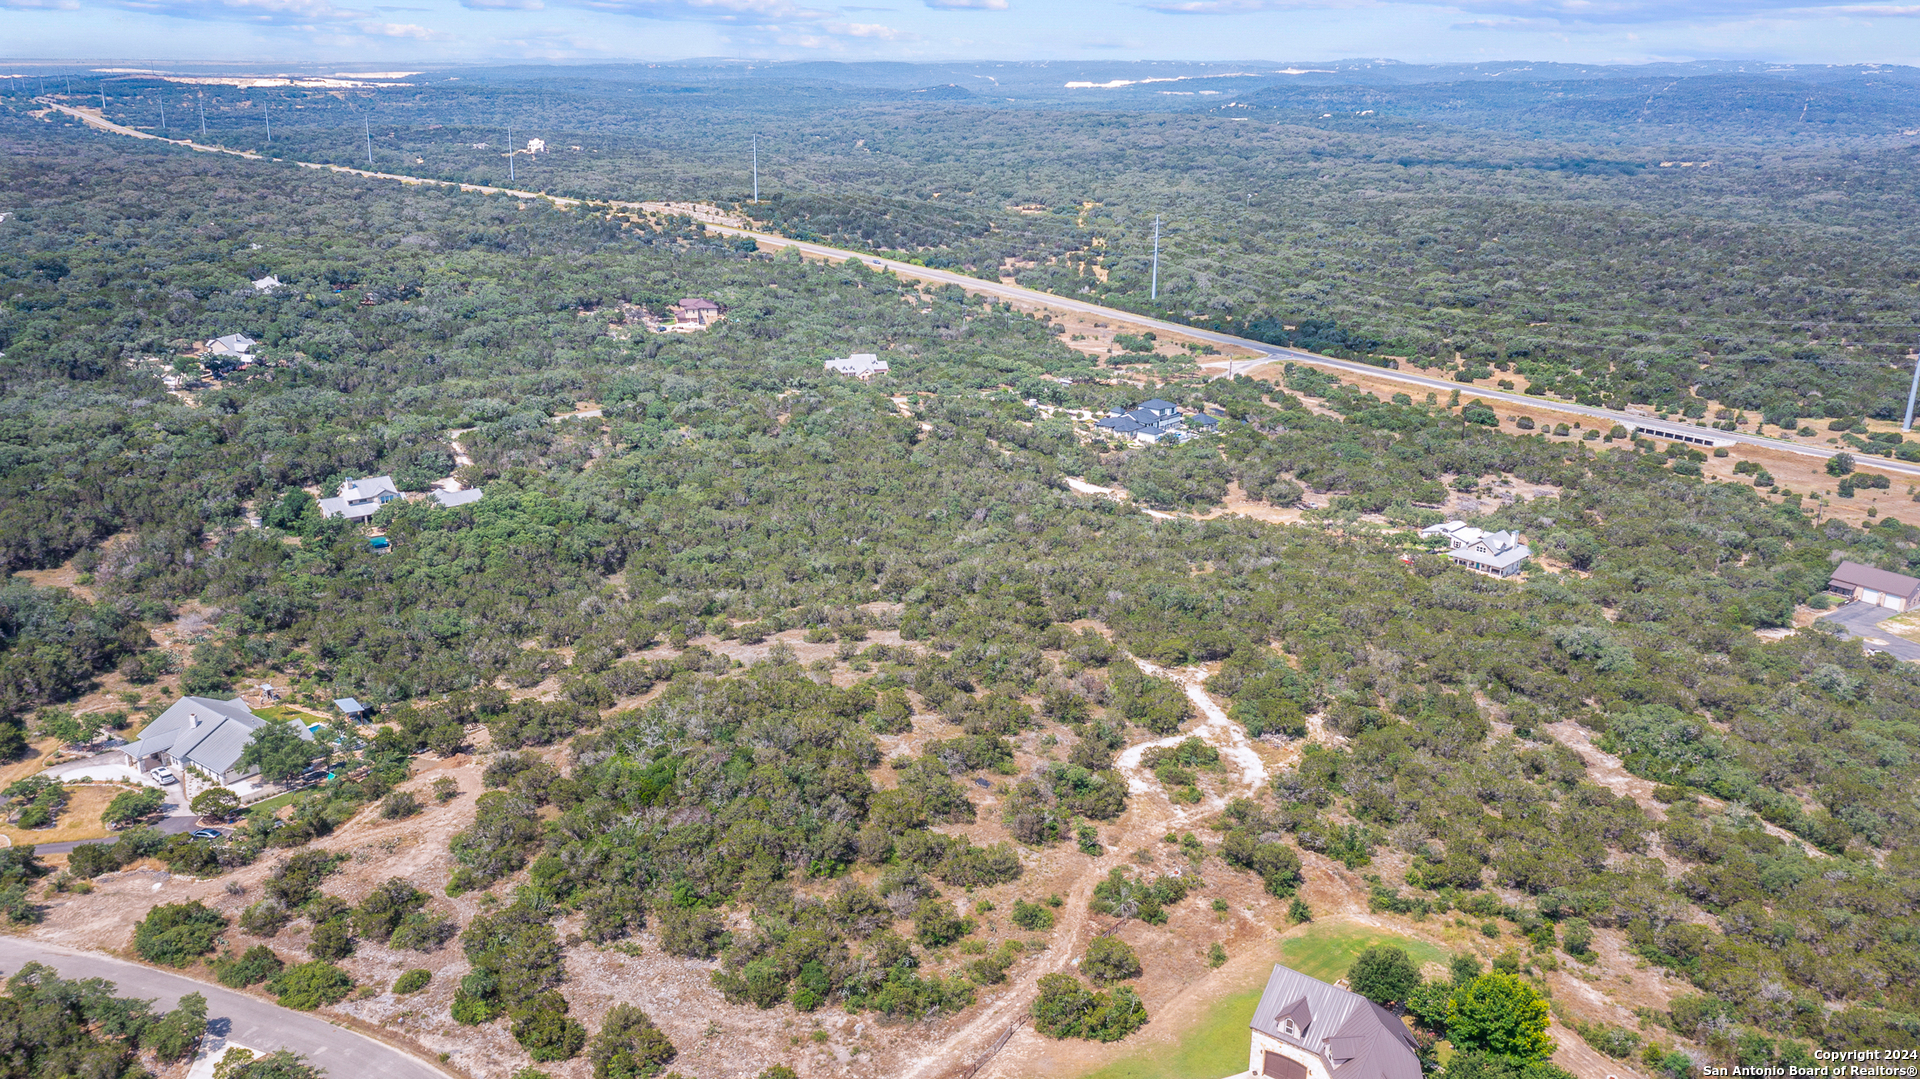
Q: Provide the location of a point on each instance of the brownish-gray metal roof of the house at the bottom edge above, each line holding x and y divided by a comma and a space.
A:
1356, 1038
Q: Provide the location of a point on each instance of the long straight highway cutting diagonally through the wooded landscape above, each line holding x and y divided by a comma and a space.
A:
721, 224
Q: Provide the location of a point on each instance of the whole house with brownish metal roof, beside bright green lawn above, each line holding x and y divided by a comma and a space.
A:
1310, 1030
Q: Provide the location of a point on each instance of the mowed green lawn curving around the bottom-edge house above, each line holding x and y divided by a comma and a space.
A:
1216, 1045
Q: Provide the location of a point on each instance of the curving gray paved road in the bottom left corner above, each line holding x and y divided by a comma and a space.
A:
233, 1017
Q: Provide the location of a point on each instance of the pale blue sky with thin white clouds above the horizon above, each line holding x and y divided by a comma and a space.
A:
398, 32
